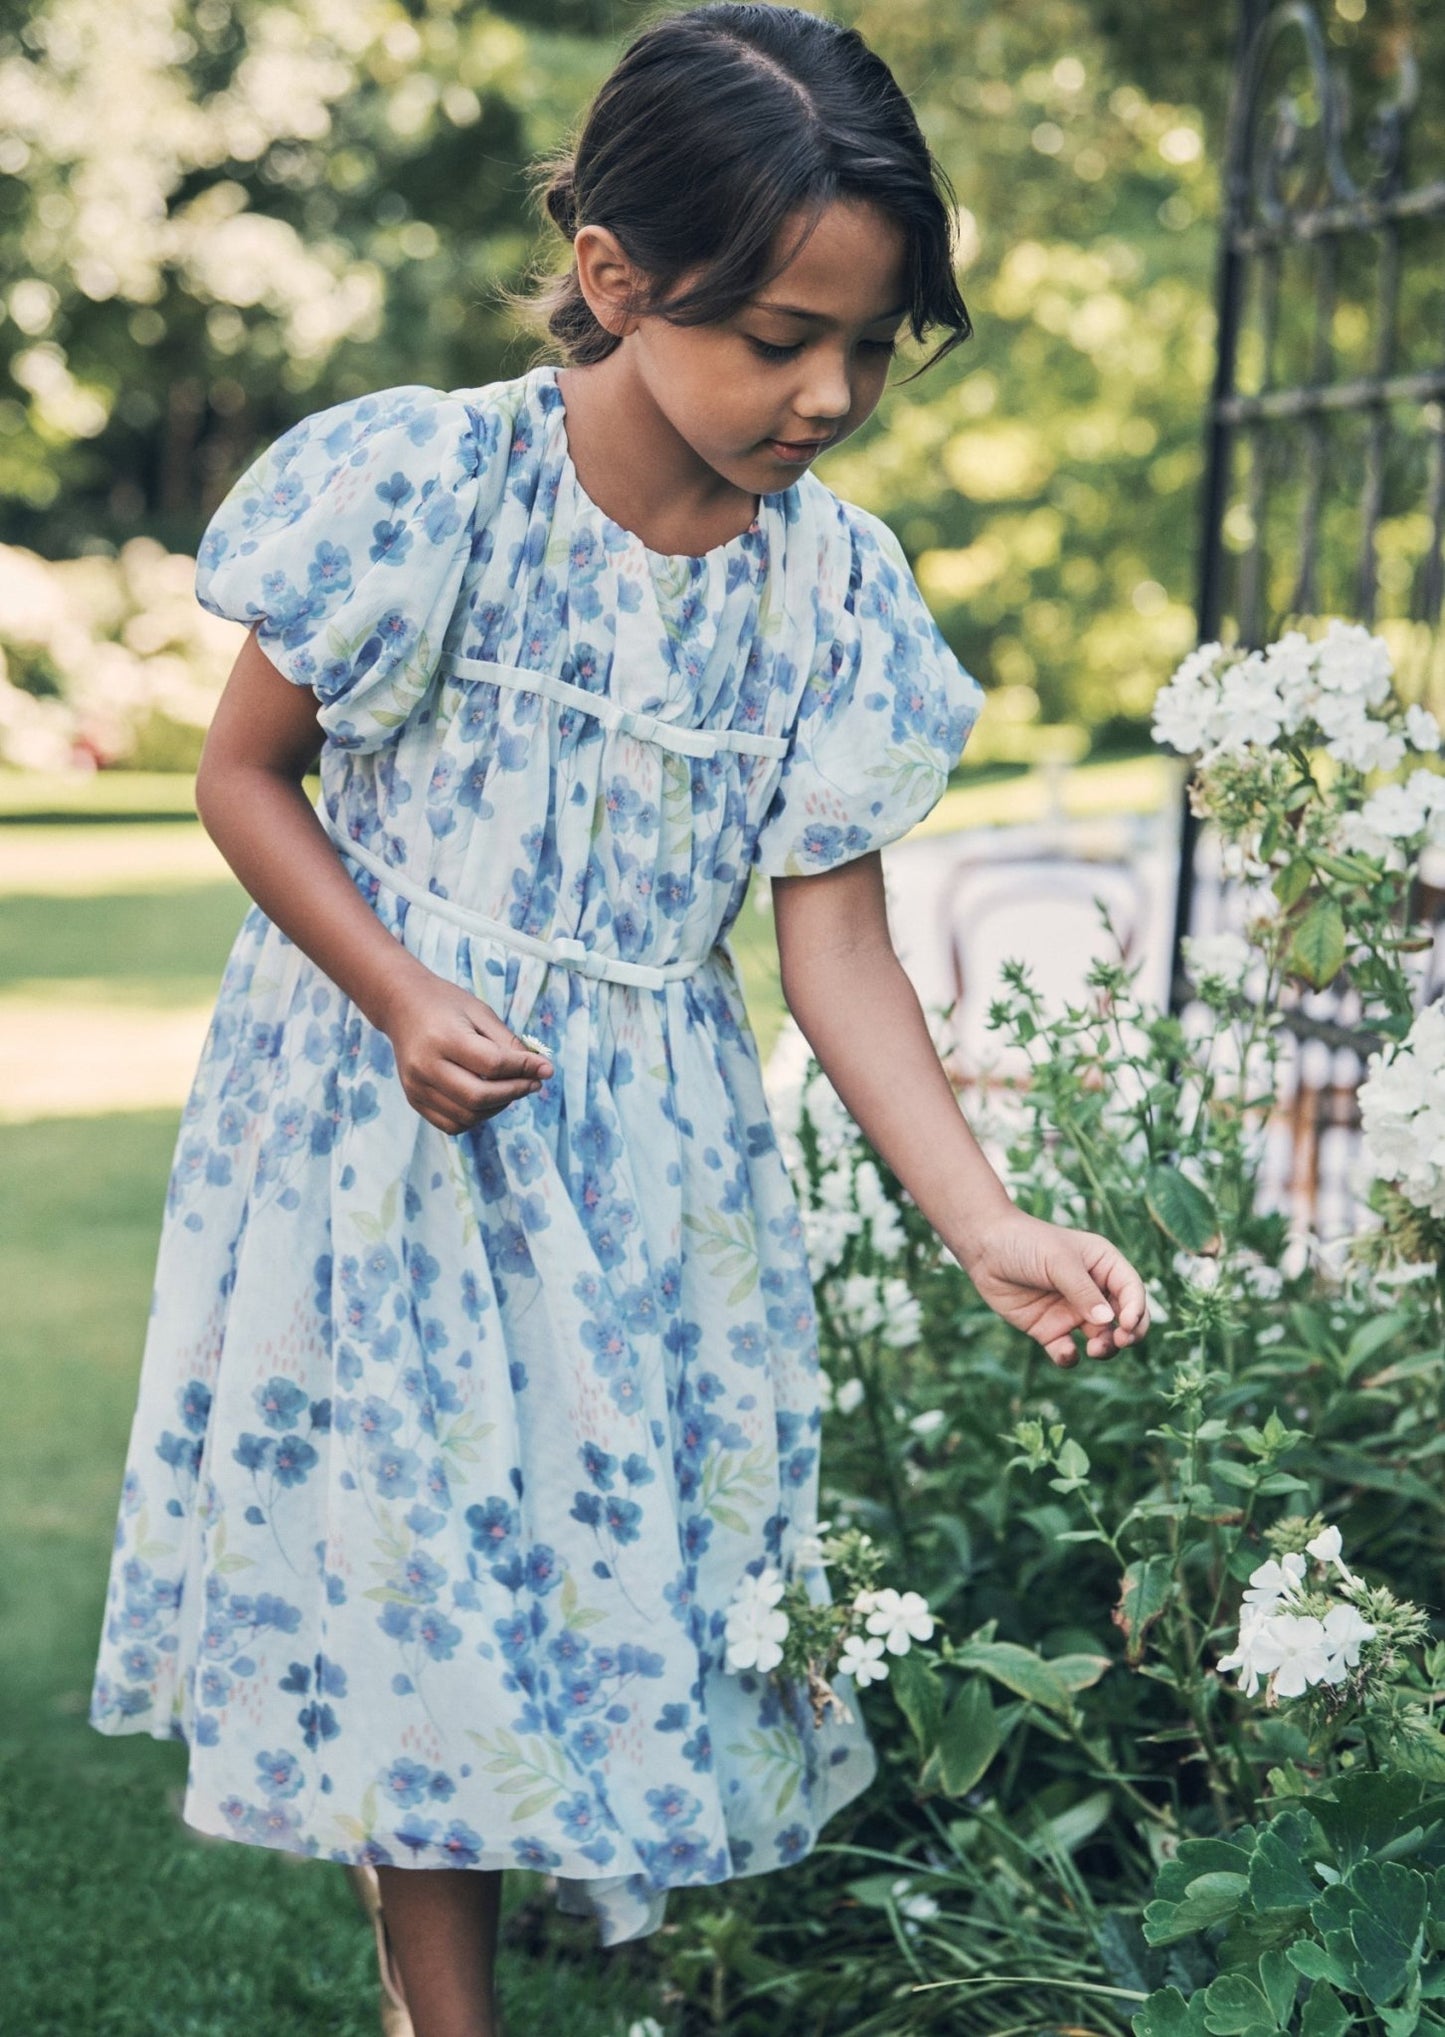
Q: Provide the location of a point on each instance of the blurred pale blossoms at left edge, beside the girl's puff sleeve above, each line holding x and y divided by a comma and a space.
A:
123, 639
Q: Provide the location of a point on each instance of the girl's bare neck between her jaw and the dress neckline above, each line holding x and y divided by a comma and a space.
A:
637, 465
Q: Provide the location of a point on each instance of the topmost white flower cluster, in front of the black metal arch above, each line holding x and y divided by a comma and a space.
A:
1232, 704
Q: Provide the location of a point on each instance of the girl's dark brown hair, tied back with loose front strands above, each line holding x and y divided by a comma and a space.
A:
710, 133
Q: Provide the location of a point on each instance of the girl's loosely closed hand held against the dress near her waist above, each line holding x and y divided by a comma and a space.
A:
460, 1064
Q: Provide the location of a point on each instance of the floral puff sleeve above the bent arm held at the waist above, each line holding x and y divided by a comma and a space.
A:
347, 543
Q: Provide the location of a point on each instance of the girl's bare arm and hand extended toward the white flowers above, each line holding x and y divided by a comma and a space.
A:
861, 1015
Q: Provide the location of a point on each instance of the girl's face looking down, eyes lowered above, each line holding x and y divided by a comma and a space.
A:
802, 366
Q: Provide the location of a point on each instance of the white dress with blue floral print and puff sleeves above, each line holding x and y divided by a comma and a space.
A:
451, 1451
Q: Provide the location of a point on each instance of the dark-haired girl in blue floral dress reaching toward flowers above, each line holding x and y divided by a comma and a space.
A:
482, 1362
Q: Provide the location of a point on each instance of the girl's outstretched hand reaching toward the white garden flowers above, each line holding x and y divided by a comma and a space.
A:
1049, 1280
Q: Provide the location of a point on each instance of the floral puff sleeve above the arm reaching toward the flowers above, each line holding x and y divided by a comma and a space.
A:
881, 720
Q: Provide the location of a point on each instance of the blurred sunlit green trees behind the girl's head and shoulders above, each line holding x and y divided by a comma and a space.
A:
219, 215
